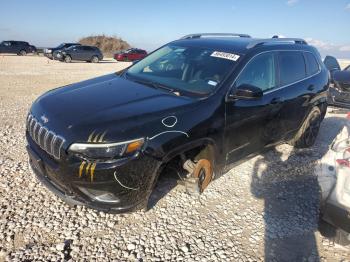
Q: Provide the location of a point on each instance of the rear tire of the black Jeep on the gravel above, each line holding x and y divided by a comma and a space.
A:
307, 134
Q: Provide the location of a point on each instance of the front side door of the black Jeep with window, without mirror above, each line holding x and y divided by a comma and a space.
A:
251, 124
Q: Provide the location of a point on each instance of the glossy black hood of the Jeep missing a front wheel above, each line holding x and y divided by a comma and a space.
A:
105, 102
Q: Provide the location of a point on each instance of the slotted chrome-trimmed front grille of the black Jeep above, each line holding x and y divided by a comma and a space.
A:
46, 139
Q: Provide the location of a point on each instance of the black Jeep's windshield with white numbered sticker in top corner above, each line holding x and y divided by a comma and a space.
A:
184, 68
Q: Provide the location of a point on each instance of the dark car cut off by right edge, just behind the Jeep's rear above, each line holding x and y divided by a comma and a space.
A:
339, 89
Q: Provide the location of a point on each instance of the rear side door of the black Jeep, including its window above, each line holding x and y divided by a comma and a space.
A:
297, 90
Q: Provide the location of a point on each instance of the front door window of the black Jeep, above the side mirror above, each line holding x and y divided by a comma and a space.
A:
260, 72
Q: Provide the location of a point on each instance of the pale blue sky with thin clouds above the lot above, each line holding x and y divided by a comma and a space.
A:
150, 24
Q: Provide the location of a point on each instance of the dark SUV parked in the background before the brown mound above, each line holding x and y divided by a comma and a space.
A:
81, 53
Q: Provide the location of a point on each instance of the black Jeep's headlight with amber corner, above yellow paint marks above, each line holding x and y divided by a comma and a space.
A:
107, 151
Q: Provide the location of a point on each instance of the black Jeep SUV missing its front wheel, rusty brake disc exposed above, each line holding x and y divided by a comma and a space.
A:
213, 102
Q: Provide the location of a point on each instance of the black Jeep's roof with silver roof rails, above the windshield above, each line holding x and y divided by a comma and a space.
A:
240, 45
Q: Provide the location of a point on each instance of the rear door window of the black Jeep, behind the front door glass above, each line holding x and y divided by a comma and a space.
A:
292, 67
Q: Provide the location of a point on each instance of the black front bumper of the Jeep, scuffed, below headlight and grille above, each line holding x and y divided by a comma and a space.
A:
124, 185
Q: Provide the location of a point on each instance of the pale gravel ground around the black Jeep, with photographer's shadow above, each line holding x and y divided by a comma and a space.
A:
263, 209
